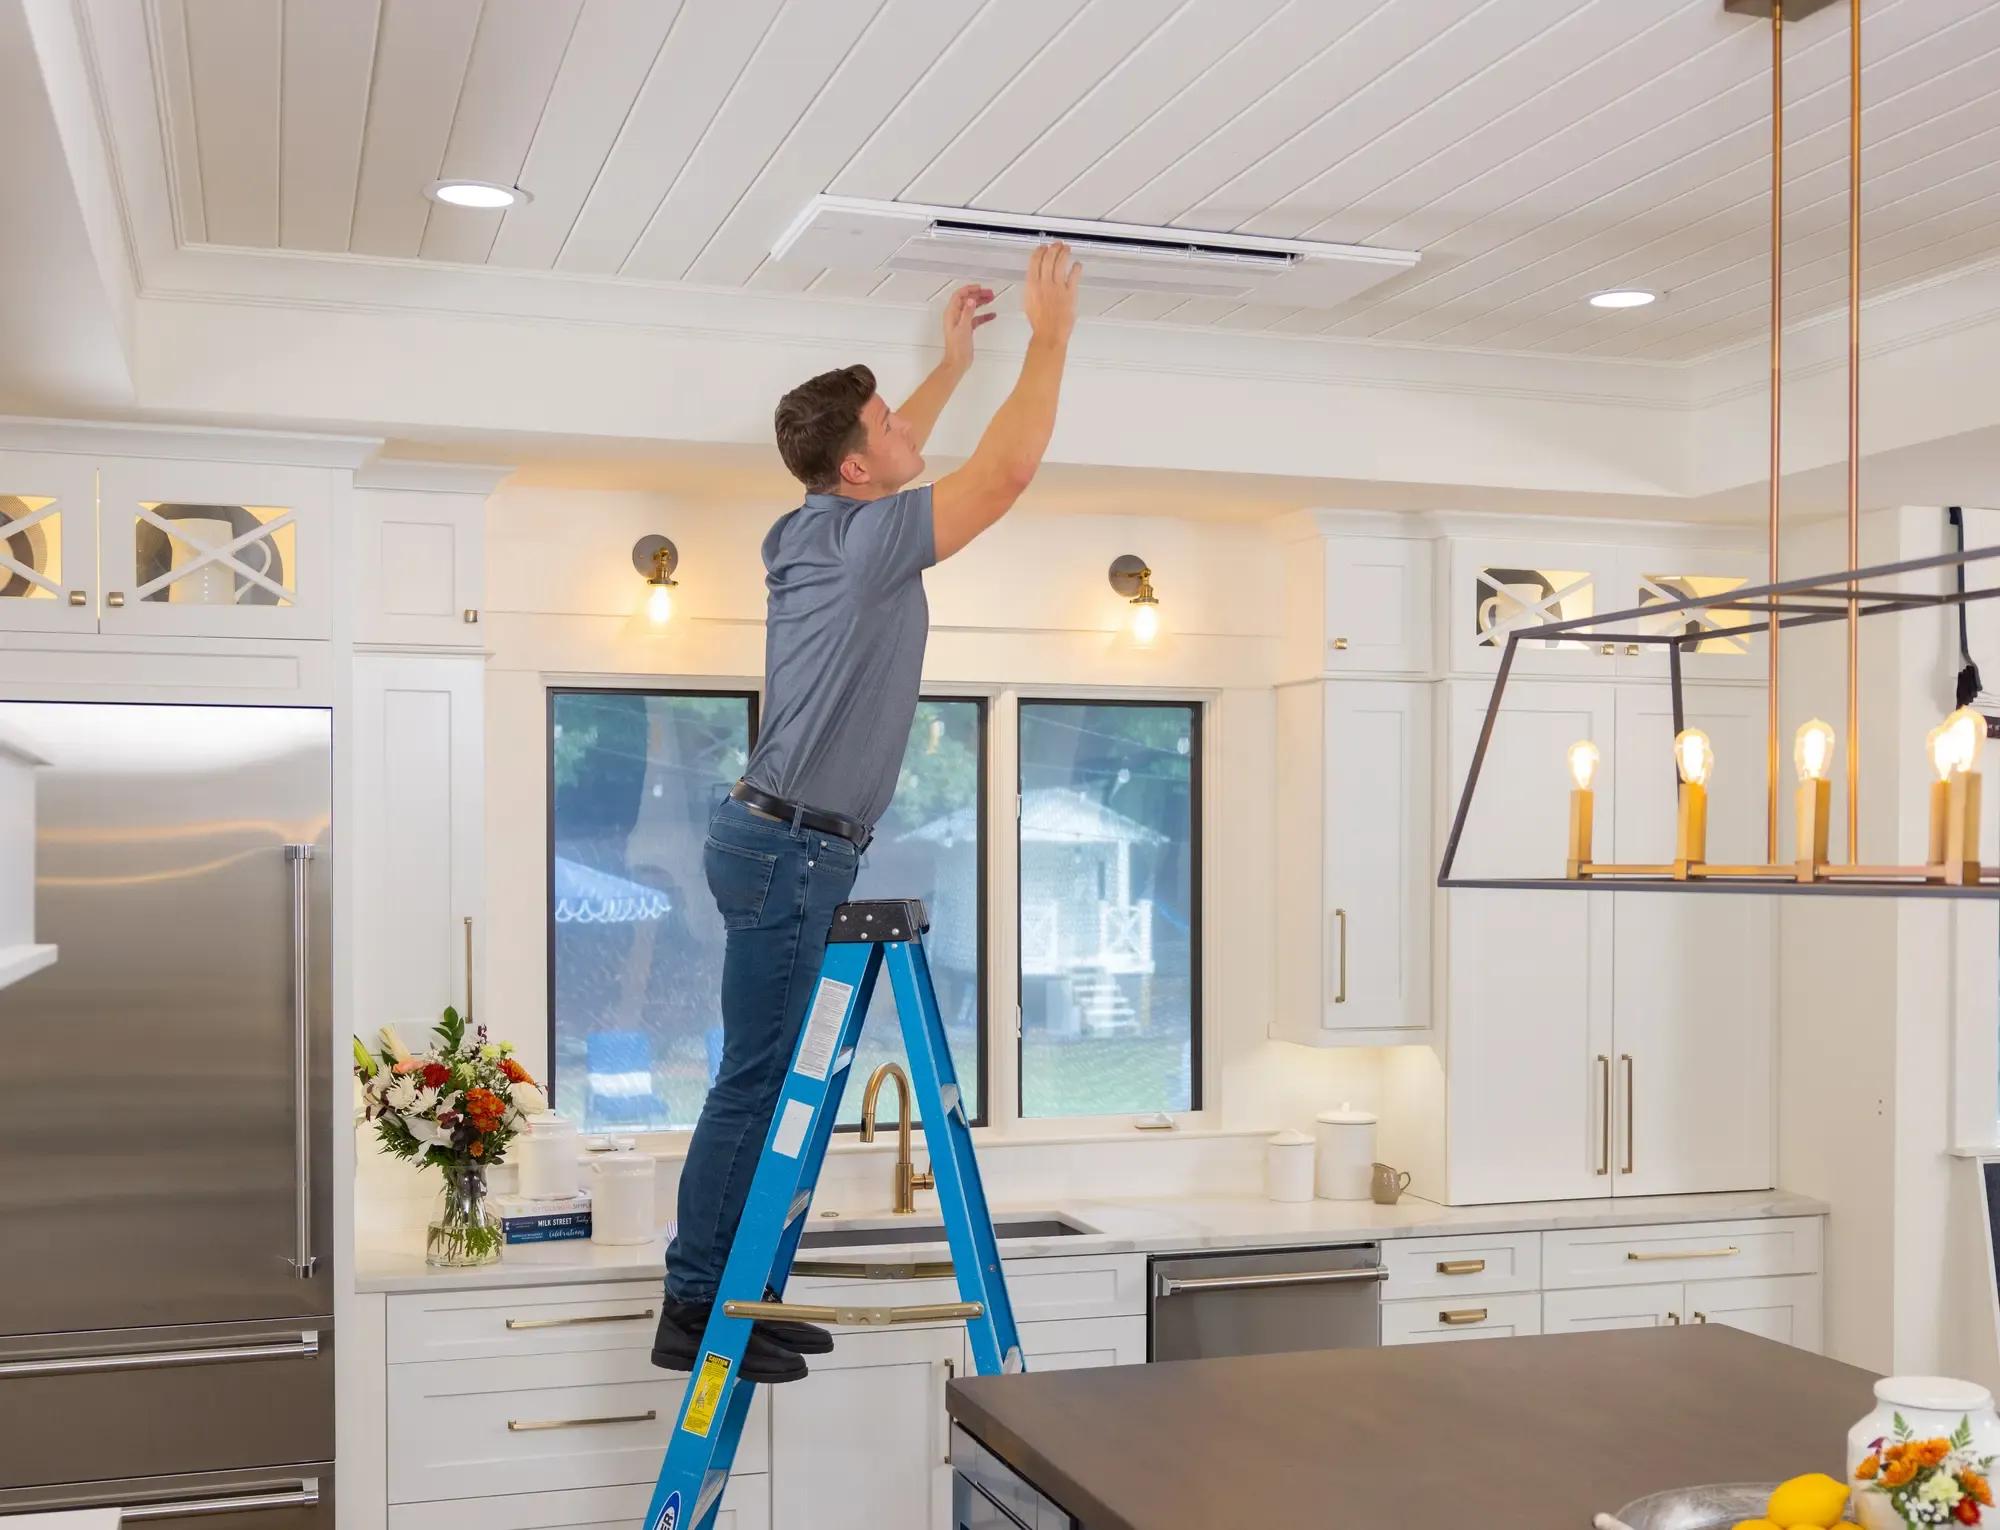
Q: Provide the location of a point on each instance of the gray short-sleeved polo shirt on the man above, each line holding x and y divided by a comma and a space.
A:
843, 649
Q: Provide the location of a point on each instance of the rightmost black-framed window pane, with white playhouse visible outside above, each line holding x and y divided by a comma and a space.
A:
1109, 907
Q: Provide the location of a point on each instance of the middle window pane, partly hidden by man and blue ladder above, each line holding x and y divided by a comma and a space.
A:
931, 845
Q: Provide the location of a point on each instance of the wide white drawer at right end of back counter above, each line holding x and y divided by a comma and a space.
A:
1689, 1251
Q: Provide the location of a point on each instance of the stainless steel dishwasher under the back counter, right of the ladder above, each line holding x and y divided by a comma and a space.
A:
1269, 1303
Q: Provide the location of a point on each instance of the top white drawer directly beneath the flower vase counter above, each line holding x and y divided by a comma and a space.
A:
479, 1325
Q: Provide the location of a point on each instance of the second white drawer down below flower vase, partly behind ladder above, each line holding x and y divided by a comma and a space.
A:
579, 1421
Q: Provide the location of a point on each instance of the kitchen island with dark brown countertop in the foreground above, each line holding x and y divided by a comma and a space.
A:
1503, 1435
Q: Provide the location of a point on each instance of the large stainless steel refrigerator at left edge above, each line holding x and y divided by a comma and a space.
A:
167, 1121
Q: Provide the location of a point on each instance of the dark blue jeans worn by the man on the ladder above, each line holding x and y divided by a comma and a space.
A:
777, 889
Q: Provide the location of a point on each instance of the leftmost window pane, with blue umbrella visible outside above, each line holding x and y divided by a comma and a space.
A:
635, 943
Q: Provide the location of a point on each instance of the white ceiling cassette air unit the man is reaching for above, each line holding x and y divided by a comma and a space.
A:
843, 233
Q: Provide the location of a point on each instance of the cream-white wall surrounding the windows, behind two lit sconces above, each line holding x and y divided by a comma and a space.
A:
1025, 607
